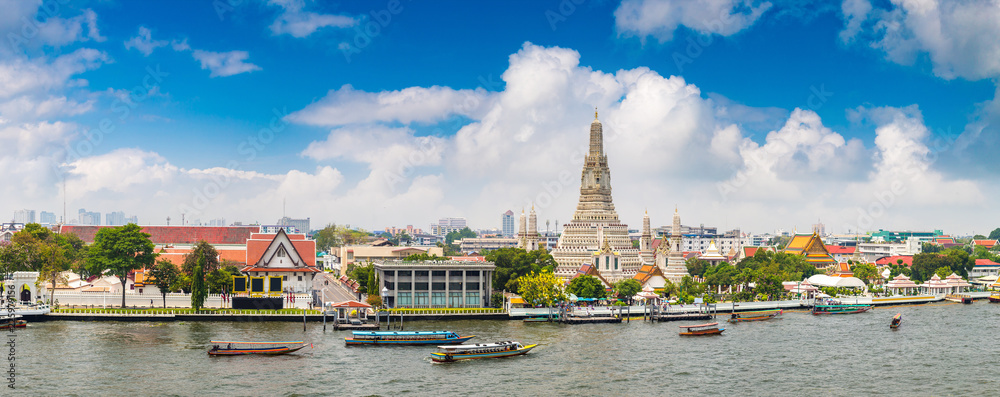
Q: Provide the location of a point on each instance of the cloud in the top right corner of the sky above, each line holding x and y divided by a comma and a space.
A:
958, 36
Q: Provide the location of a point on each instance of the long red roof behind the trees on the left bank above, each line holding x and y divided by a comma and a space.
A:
214, 235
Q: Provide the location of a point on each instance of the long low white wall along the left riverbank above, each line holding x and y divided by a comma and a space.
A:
174, 300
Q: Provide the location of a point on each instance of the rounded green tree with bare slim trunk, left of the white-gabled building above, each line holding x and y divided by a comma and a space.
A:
119, 251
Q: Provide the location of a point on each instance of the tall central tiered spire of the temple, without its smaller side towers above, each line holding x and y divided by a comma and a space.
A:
595, 222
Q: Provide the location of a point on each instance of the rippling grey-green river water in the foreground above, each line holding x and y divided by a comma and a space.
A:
945, 349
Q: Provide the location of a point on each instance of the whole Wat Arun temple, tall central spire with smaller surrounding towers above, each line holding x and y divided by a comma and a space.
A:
595, 242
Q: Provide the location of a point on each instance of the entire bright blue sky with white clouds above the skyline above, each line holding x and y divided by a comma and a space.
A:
752, 114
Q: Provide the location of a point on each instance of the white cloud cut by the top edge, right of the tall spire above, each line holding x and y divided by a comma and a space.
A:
660, 18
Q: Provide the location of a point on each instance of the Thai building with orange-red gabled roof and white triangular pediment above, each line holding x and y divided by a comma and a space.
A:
289, 256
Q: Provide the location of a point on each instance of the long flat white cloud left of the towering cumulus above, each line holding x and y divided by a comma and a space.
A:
415, 104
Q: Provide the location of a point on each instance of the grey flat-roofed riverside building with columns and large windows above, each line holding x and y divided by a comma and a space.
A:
429, 284
